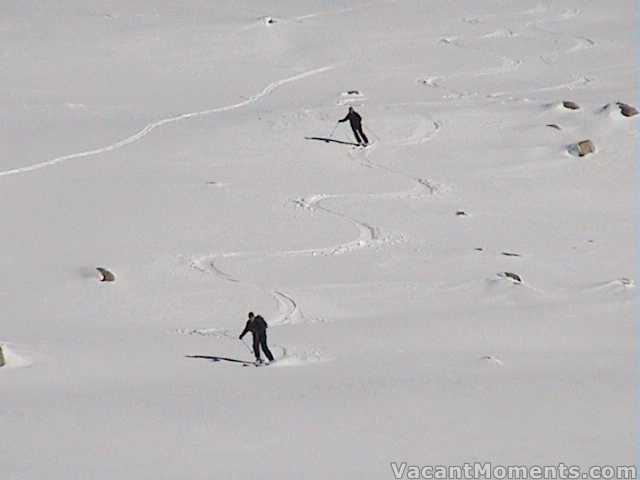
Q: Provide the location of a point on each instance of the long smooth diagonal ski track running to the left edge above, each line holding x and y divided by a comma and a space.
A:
159, 123
